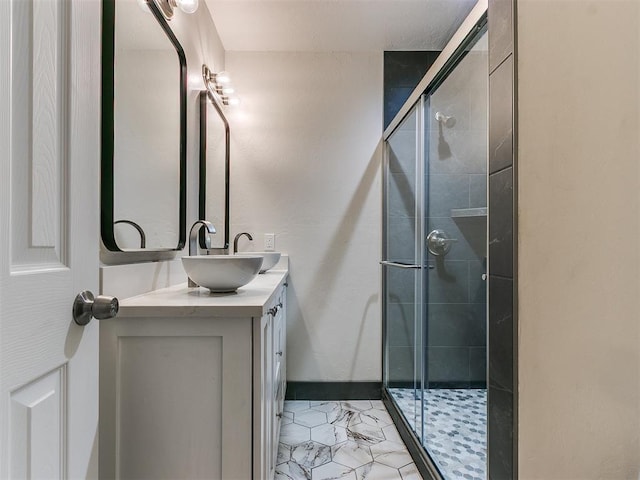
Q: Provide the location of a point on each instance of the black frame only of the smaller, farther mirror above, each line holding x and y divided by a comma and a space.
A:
205, 96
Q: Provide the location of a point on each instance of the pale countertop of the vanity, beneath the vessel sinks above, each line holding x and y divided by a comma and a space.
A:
252, 300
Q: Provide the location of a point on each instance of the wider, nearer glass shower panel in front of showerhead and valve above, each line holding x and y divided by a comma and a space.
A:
455, 131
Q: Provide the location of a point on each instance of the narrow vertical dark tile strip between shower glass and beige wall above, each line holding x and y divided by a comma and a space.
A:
502, 388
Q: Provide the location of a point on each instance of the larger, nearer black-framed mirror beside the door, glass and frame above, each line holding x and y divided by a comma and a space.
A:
144, 79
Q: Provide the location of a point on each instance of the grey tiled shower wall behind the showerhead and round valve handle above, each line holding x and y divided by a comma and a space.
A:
457, 179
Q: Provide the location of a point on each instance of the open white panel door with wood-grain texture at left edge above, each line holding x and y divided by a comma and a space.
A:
49, 183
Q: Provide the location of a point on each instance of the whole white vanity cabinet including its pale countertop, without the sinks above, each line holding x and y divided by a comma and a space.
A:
192, 384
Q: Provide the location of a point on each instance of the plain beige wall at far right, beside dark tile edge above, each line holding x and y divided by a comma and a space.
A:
579, 239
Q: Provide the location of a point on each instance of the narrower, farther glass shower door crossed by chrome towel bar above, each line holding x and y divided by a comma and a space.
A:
402, 268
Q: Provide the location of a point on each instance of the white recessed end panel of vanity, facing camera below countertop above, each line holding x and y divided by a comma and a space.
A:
176, 398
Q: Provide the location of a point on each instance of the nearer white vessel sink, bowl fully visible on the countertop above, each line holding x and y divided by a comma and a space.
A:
222, 273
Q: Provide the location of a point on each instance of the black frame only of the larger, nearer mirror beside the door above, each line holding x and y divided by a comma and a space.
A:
107, 131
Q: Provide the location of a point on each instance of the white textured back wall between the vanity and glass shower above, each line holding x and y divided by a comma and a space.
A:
306, 155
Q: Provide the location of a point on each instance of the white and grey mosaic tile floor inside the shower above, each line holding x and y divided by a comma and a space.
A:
455, 428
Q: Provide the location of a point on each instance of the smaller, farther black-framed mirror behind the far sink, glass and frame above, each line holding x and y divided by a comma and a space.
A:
214, 170
